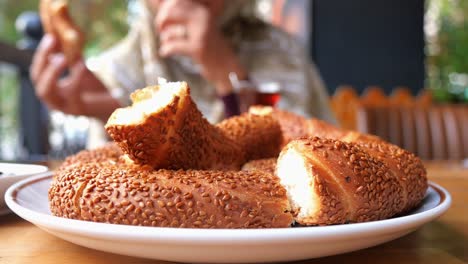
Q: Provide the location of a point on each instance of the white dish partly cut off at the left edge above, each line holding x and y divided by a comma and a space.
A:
14, 172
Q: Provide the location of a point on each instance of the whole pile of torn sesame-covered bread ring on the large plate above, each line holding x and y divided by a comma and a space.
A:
170, 167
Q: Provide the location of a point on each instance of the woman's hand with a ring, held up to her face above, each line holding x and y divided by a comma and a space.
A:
190, 28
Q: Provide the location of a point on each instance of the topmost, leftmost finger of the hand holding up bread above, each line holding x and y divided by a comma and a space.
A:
41, 56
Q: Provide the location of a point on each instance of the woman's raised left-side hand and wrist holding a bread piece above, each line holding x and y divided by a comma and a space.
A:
78, 93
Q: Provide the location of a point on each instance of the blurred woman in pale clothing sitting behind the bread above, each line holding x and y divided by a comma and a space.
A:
197, 41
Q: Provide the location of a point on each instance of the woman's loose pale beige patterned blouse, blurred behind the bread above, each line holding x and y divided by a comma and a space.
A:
268, 54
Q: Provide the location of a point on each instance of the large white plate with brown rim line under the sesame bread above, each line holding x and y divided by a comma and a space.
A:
29, 200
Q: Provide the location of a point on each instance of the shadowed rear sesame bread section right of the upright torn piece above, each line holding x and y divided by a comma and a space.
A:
258, 136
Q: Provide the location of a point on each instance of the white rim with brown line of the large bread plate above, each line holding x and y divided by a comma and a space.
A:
231, 236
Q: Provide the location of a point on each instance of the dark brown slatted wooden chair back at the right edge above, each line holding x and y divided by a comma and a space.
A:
438, 132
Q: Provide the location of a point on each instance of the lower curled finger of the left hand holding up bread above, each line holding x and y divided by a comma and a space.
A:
46, 85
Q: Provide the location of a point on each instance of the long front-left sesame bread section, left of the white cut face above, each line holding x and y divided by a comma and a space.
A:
126, 194
